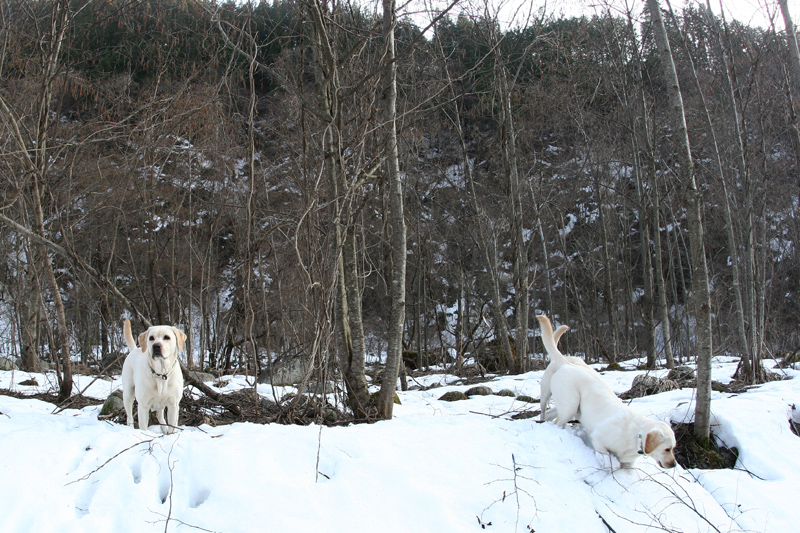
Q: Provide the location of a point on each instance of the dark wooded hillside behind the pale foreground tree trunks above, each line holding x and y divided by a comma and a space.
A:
165, 160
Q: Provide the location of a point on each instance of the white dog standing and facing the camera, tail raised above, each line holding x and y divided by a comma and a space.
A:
152, 375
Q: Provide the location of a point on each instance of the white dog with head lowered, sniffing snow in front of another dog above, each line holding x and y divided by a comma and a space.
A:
579, 391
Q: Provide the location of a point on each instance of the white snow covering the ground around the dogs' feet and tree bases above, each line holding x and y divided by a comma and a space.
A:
437, 466
